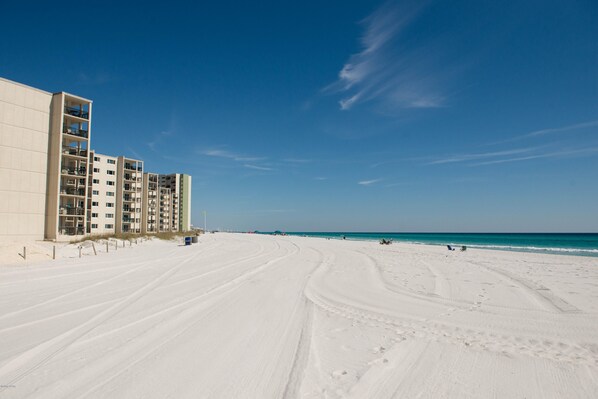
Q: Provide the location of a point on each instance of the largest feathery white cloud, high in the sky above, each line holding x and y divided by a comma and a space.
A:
386, 69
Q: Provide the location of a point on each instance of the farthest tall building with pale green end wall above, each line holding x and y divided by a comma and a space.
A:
180, 188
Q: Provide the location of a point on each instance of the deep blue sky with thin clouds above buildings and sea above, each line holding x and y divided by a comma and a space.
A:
327, 116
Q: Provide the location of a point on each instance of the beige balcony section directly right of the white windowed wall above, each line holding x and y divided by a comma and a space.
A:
129, 187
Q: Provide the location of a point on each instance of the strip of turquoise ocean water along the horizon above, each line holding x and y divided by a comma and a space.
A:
583, 244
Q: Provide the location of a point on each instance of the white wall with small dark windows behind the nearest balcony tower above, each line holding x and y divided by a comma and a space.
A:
101, 194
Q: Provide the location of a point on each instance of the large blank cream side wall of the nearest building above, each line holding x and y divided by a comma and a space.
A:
24, 140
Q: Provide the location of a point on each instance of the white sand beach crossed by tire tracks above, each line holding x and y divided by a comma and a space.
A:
253, 316
